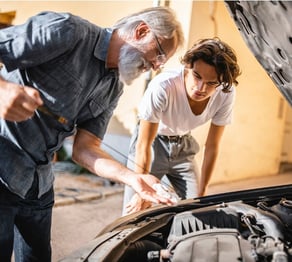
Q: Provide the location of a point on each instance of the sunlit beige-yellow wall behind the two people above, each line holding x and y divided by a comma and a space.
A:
252, 145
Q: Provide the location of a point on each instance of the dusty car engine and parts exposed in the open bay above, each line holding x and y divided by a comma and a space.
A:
235, 231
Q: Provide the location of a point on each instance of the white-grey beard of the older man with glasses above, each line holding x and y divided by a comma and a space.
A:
131, 64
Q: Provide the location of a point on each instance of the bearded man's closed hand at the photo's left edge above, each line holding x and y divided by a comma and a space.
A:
18, 103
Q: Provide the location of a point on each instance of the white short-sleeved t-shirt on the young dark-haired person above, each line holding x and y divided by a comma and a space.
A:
165, 102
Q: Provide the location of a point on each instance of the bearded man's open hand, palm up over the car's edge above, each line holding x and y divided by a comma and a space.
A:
143, 185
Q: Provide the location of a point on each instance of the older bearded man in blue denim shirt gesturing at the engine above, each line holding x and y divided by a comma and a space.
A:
61, 76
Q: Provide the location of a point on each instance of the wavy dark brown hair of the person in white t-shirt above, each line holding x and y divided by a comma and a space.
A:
216, 53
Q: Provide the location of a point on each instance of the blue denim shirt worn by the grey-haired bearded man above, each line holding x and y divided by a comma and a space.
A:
63, 57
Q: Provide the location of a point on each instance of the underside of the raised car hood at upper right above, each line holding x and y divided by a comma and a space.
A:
266, 27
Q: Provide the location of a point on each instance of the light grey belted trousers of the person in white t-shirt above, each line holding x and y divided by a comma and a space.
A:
173, 162
